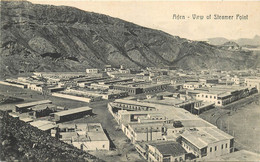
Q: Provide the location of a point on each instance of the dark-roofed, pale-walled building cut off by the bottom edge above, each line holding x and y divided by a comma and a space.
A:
162, 151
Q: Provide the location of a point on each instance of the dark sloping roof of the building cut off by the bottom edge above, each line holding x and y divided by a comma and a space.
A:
169, 148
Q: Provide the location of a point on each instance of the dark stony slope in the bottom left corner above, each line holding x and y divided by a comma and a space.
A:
21, 141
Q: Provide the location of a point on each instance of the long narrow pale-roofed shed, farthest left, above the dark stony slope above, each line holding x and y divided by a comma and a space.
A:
24, 107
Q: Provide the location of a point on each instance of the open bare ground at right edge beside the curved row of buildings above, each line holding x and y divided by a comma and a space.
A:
241, 119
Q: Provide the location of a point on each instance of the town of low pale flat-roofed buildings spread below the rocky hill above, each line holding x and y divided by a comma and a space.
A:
152, 114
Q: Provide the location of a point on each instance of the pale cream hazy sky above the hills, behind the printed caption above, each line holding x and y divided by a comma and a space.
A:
159, 15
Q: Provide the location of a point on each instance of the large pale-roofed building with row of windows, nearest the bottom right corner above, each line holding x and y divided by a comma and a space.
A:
207, 142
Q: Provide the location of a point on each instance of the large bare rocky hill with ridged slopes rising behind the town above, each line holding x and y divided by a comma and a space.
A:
50, 38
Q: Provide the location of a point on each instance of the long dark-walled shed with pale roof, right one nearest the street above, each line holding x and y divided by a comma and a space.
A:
71, 114
